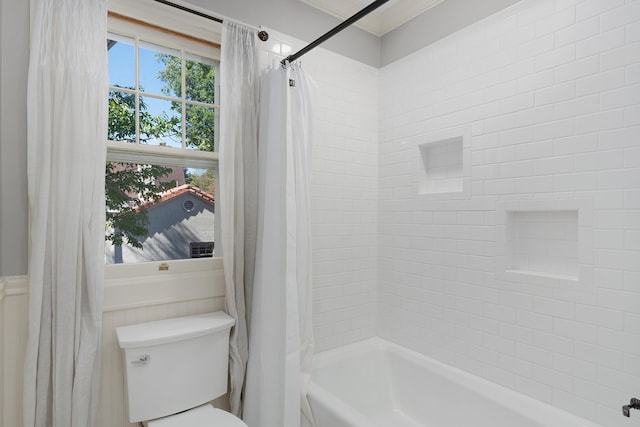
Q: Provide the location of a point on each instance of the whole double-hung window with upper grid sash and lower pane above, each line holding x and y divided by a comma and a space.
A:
161, 143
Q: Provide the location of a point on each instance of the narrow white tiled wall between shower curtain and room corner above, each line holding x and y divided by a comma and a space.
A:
344, 199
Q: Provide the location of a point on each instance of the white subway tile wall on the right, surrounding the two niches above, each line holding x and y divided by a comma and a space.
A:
549, 94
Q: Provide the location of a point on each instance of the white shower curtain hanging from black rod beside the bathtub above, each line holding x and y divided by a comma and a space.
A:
280, 332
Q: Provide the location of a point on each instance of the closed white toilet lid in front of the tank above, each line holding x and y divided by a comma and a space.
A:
202, 416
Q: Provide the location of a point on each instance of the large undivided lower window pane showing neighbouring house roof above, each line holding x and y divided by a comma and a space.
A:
158, 213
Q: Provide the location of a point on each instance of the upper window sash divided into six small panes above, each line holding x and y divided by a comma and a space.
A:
160, 96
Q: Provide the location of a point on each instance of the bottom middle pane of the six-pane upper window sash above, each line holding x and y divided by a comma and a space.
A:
160, 122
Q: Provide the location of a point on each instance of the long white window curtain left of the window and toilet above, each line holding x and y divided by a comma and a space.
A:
67, 127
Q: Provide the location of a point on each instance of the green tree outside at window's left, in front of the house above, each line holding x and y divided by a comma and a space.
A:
128, 186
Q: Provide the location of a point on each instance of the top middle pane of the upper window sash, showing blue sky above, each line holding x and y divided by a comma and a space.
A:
160, 70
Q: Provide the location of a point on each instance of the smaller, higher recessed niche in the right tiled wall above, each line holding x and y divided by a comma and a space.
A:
444, 166
